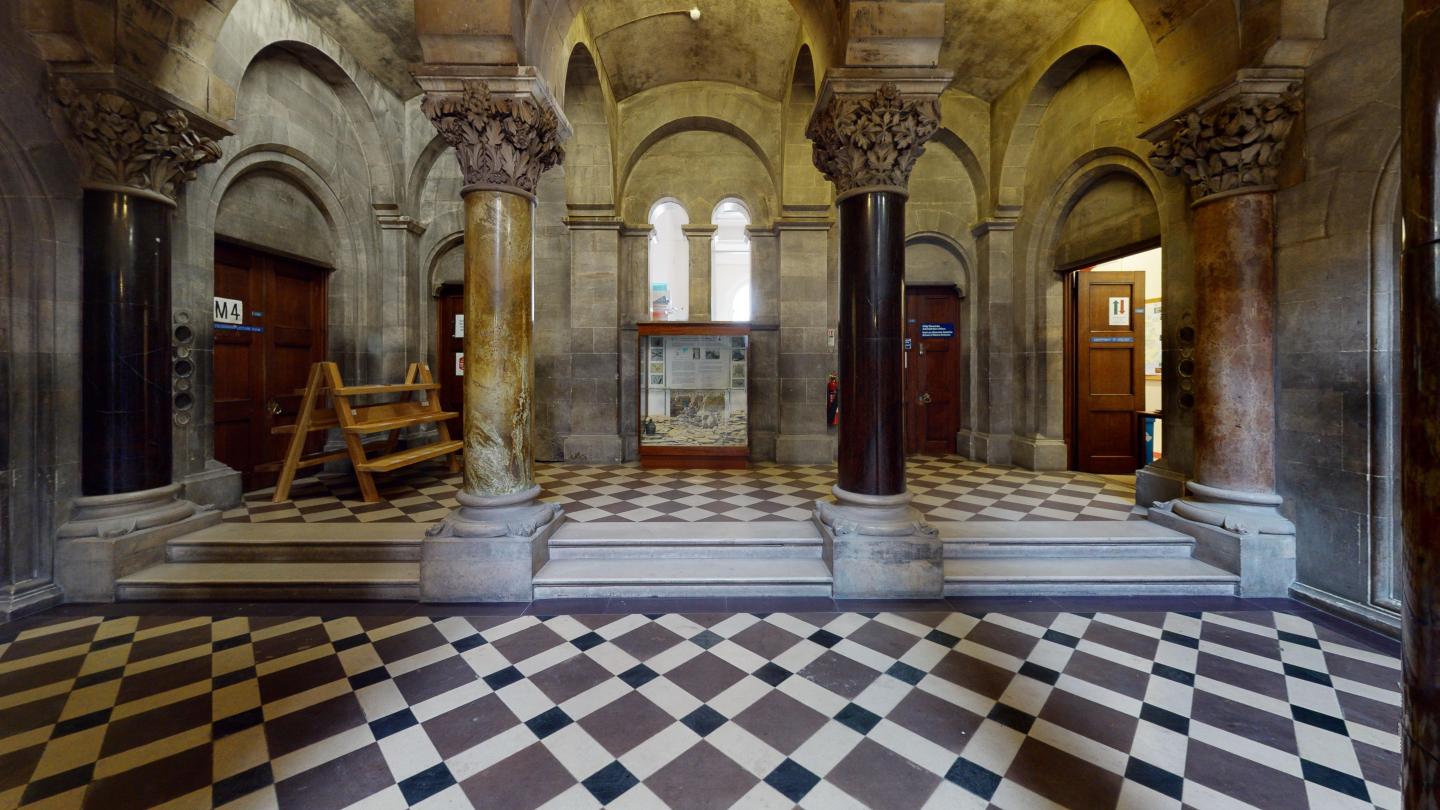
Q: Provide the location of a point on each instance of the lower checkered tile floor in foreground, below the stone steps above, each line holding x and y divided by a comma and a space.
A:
823, 711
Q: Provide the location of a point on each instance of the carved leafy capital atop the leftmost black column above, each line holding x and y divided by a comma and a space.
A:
130, 148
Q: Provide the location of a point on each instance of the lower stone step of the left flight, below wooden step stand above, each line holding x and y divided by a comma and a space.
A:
299, 582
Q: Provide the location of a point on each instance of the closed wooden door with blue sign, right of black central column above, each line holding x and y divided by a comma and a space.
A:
932, 370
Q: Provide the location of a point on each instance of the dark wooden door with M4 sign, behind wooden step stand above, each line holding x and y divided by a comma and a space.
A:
263, 362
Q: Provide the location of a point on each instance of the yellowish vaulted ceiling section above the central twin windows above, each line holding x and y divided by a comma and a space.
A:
646, 44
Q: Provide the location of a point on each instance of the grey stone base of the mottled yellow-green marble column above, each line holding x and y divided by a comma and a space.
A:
489, 550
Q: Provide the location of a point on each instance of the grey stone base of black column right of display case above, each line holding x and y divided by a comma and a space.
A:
879, 547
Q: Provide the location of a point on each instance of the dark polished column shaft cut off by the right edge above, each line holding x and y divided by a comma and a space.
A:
1421, 403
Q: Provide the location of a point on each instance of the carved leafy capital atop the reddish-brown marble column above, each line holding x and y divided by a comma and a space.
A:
1232, 145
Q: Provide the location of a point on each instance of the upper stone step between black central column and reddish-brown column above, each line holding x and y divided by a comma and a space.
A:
1095, 540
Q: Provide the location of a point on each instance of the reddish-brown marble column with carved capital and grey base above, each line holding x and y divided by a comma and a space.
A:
1230, 504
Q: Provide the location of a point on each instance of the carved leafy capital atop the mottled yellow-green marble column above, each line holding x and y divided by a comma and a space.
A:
500, 141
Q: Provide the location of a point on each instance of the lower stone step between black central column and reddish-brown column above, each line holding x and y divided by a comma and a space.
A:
1071, 577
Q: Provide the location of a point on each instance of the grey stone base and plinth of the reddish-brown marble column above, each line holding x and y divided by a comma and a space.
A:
1264, 561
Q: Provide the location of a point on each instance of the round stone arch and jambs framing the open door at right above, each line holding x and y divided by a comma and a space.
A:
1040, 293
